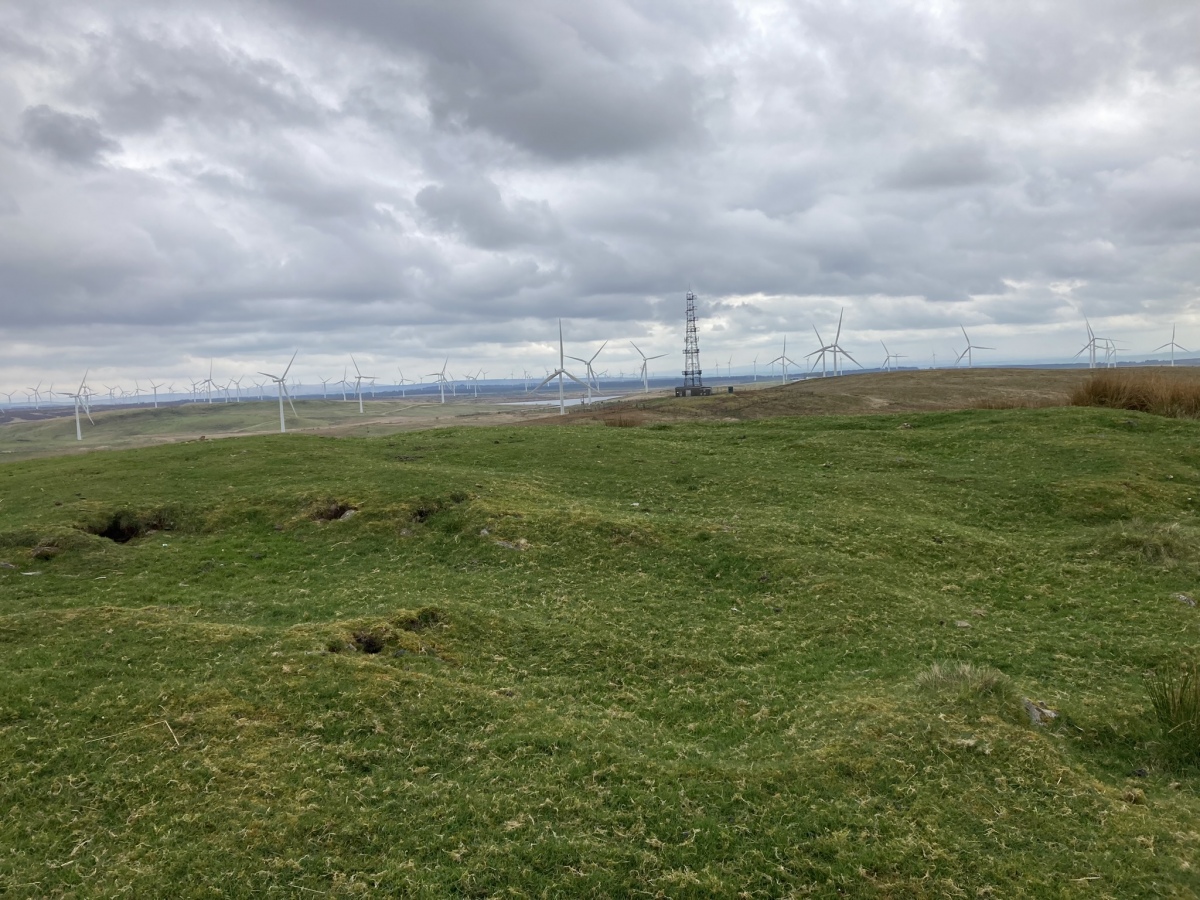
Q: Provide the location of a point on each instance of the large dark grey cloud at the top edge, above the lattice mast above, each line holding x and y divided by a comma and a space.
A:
550, 81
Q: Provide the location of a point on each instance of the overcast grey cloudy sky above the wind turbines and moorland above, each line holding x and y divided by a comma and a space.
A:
424, 179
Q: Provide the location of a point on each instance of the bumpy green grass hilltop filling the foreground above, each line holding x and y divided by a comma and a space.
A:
688, 661
